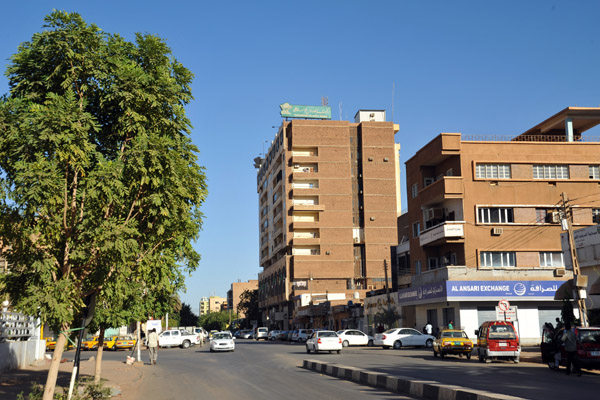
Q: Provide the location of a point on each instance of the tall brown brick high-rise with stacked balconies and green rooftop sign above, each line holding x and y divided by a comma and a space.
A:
328, 203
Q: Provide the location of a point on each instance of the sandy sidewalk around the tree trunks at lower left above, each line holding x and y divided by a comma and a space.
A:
124, 379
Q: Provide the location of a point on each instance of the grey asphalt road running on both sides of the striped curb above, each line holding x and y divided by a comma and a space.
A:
271, 370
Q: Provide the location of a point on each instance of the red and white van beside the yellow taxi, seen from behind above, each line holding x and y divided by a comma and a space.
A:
497, 340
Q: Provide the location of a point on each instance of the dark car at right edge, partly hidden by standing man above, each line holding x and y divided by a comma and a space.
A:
588, 347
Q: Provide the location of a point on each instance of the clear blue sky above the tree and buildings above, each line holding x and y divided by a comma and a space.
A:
474, 67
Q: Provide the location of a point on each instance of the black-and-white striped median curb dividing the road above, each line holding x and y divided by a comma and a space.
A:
403, 385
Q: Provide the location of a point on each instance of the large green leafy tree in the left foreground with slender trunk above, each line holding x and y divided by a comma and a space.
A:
99, 182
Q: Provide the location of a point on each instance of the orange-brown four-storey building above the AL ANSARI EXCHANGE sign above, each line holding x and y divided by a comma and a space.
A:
484, 222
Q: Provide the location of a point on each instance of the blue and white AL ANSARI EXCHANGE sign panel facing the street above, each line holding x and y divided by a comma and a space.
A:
513, 289
